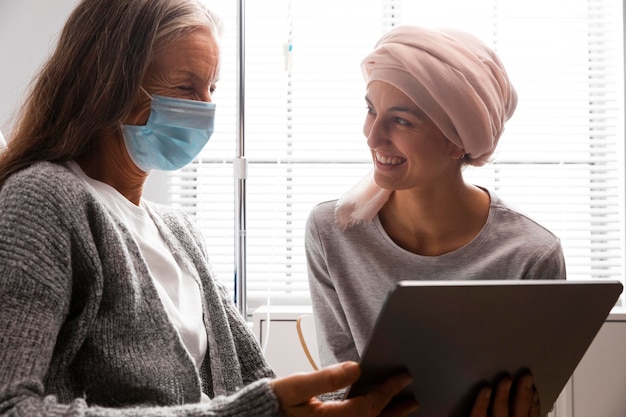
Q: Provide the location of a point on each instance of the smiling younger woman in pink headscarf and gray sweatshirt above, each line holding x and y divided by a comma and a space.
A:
436, 101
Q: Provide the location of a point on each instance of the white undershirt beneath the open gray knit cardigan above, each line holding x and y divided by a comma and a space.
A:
178, 290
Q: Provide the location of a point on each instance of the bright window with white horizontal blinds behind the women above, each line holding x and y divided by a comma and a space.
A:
560, 158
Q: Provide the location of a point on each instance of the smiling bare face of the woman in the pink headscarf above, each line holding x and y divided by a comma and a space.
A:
407, 149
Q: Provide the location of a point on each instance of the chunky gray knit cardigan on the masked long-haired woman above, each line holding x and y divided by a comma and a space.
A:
82, 328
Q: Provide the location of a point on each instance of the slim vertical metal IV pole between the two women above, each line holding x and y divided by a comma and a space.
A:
240, 171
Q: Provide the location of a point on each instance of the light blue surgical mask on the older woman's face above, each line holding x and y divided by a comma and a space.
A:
175, 133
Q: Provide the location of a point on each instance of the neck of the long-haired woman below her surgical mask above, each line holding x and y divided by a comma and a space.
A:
108, 162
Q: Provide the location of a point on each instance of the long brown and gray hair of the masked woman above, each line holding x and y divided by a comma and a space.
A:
86, 87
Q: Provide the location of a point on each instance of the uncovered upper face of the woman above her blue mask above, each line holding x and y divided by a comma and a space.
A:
186, 68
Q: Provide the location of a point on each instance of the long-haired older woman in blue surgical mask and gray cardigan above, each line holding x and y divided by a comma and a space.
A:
108, 304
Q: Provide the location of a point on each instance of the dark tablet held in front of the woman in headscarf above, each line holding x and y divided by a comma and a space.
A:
455, 336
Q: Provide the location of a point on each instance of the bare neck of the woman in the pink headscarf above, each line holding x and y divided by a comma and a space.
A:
434, 222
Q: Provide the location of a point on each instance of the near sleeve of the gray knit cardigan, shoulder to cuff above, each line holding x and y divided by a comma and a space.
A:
42, 216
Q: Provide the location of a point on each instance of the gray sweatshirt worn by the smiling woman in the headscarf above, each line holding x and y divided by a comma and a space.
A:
352, 270
